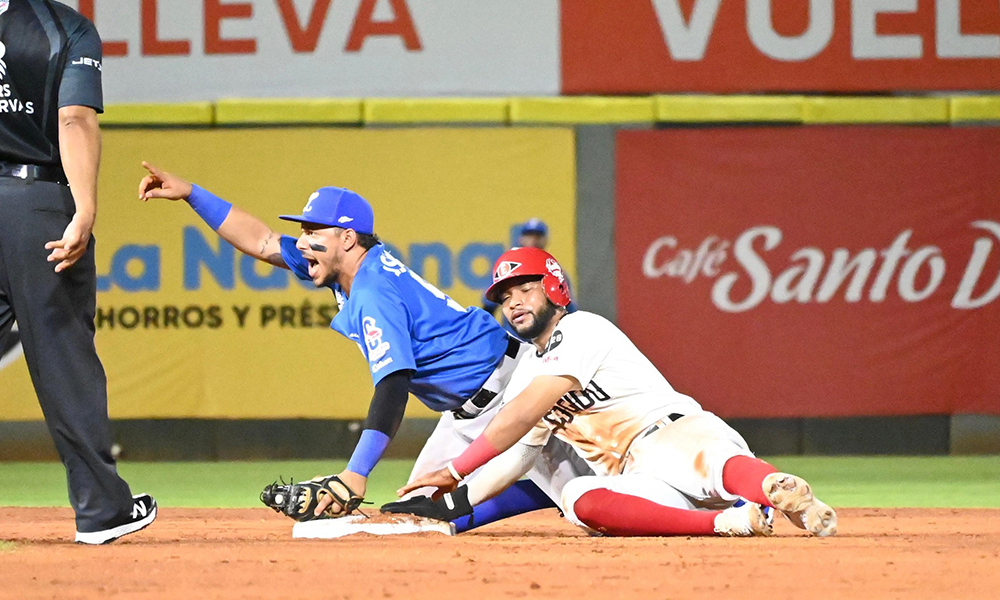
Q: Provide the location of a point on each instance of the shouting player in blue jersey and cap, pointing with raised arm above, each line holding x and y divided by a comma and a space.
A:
457, 361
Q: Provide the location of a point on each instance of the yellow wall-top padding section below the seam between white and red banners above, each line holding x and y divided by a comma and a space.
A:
582, 110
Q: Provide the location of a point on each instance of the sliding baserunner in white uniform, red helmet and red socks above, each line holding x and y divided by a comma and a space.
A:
664, 466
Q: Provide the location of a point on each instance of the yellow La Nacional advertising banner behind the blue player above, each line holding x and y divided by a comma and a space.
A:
189, 327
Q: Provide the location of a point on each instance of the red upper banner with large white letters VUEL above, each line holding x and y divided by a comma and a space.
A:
650, 46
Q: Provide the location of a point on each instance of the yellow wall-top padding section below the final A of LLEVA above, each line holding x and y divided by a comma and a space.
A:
436, 110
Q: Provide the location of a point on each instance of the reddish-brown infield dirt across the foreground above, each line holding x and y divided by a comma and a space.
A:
249, 553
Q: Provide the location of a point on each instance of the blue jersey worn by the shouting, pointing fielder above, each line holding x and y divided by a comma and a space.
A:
403, 322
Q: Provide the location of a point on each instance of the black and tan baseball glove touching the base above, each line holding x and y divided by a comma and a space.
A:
299, 500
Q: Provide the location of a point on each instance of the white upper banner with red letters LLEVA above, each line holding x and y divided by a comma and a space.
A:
186, 50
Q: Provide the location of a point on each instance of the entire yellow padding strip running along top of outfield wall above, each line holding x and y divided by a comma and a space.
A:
561, 110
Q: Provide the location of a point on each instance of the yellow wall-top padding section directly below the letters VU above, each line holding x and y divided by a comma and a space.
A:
728, 109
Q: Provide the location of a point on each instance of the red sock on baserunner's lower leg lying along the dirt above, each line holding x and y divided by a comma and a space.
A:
617, 514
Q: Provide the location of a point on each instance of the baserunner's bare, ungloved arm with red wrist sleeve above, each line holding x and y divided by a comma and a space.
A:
511, 423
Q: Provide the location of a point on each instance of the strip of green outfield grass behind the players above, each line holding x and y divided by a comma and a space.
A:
948, 482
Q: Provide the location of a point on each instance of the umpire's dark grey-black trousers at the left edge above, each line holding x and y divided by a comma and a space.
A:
55, 319
